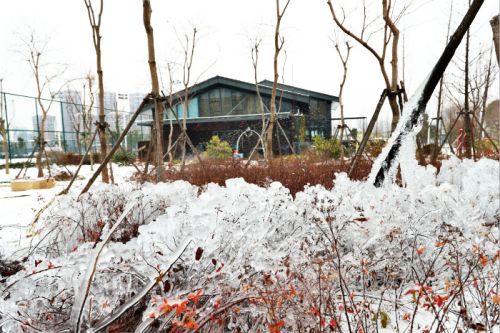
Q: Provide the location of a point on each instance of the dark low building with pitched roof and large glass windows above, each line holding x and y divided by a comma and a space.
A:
226, 107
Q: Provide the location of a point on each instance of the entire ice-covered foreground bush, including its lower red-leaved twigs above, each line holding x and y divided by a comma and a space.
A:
241, 257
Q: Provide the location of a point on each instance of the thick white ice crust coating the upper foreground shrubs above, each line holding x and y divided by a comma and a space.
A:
246, 231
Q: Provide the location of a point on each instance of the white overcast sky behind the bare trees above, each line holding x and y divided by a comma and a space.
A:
226, 30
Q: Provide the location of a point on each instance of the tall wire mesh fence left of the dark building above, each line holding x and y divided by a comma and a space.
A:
65, 125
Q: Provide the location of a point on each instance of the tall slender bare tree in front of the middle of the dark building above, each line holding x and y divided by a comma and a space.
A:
278, 45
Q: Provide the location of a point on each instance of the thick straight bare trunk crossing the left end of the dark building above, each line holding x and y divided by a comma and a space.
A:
155, 89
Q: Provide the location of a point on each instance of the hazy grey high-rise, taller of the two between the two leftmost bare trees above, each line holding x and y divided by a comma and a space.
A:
72, 121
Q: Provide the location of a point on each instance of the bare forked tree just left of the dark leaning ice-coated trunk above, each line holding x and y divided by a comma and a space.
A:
390, 38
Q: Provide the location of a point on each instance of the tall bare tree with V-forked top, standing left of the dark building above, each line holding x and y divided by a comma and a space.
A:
95, 18
